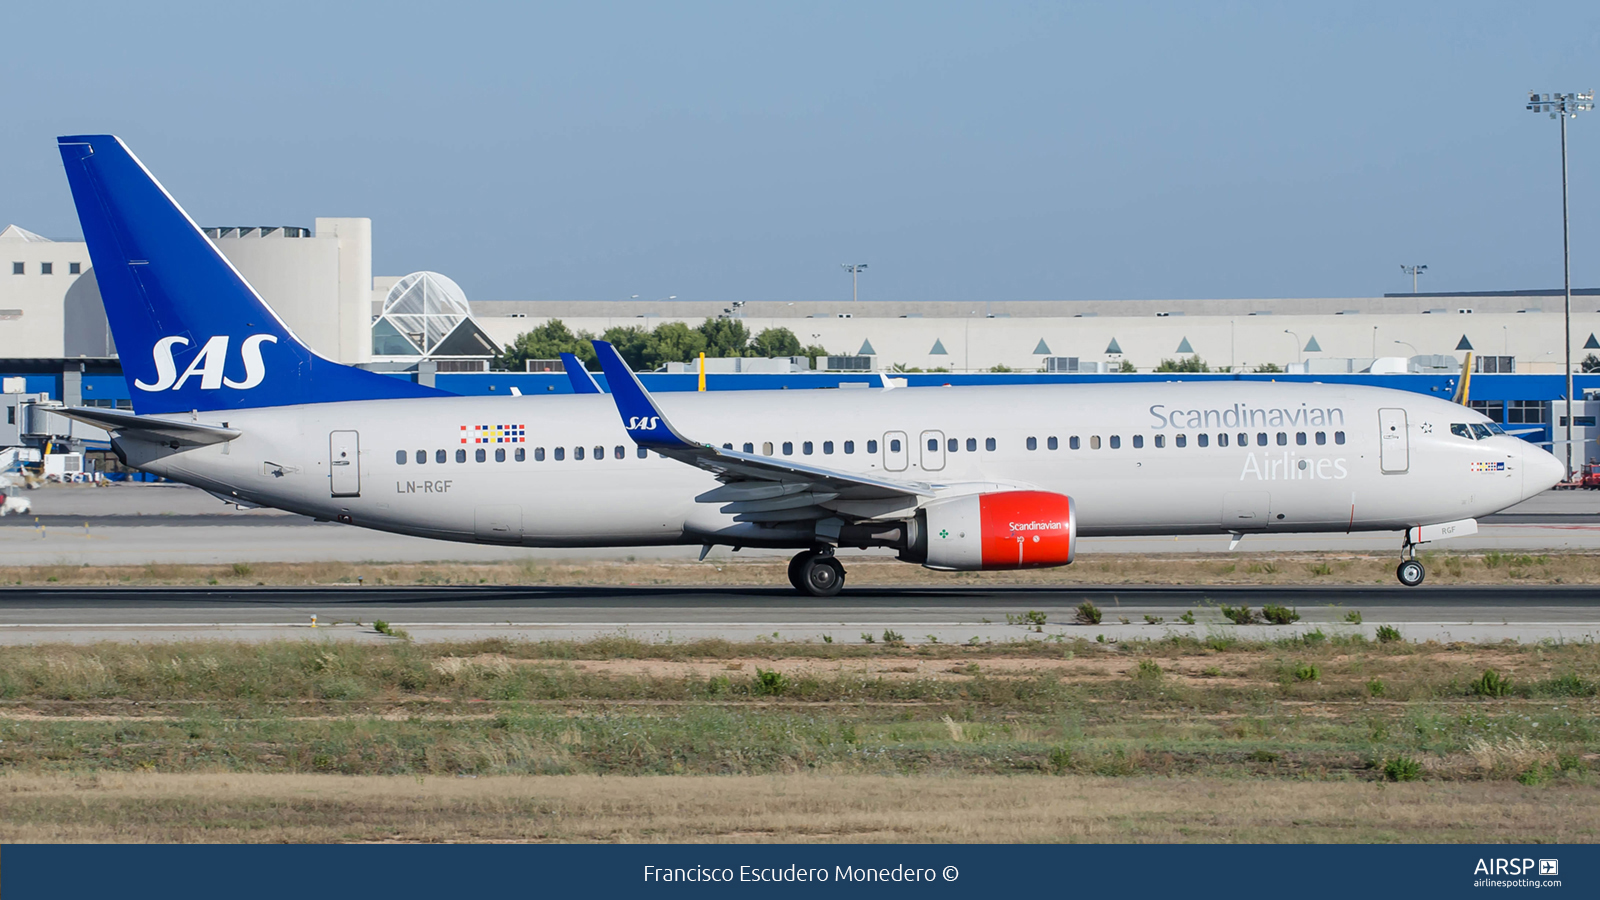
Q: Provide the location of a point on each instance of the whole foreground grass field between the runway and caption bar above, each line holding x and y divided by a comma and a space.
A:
1330, 739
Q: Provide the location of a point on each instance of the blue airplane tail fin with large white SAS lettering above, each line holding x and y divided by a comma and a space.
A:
193, 334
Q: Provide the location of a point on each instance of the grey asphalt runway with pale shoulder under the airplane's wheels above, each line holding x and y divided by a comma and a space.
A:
953, 616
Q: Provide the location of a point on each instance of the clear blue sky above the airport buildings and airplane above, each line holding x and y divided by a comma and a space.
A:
743, 151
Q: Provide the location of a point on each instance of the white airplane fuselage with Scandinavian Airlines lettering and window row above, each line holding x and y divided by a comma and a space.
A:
1137, 459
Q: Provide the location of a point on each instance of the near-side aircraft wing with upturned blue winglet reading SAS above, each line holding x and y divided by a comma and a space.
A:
758, 489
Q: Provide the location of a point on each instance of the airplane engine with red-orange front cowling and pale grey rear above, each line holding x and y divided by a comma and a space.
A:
1012, 529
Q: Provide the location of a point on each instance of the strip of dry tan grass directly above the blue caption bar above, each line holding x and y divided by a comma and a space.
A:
786, 808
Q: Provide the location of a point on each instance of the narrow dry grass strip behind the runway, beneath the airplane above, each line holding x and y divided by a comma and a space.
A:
1106, 569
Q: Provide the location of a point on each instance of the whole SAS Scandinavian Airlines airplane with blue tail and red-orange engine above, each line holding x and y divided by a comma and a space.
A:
972, 478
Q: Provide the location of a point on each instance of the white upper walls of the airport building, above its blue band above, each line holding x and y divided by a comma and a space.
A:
321, 281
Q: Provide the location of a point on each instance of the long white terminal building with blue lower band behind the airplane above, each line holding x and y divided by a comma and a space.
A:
55, 344
